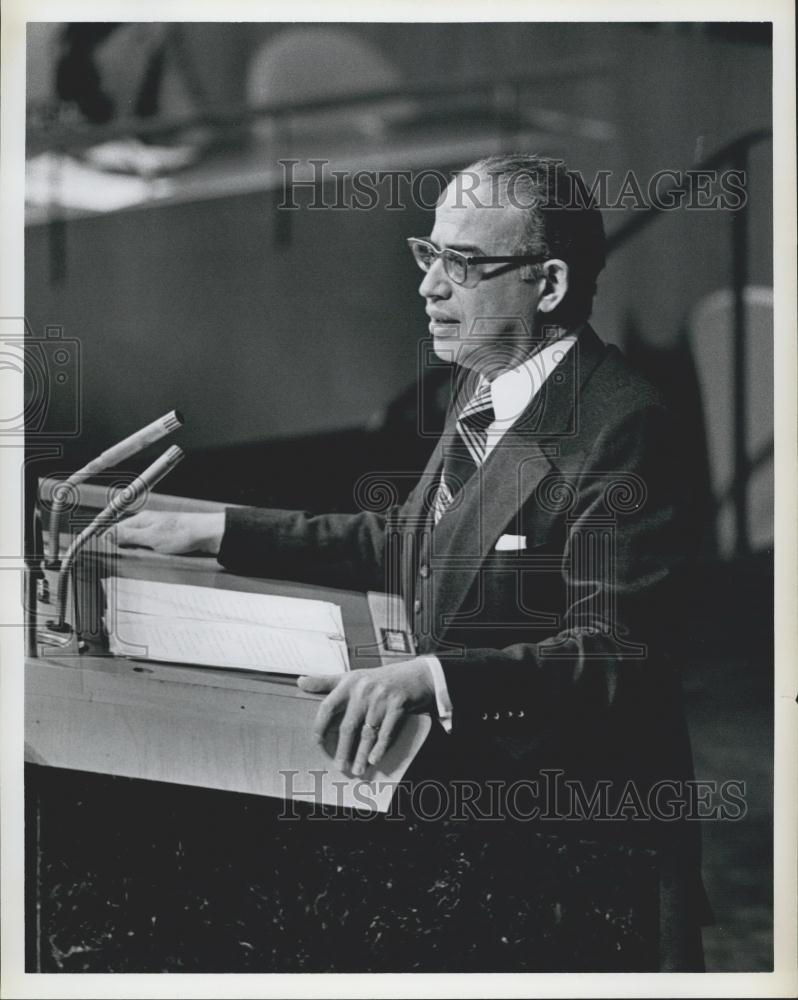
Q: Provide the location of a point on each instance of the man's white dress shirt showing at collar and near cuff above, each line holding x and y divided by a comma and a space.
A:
511, 393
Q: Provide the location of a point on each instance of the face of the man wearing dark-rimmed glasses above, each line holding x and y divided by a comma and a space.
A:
488, 327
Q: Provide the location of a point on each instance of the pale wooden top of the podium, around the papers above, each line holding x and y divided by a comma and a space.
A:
217, 728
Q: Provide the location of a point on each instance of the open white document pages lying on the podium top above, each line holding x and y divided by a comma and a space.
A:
205, 626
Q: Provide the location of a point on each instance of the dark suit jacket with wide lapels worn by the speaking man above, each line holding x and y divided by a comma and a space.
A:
556, 656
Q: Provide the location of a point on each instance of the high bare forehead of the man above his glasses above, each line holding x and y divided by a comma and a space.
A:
468, 214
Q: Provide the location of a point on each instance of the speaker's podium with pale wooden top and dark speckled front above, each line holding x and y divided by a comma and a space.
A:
159, 837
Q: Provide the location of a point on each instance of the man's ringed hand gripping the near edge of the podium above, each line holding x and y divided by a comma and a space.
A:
371, 705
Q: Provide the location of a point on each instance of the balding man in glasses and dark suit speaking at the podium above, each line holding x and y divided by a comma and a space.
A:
541, 550
